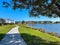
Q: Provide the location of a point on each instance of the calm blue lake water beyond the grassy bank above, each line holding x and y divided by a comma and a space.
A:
48, 27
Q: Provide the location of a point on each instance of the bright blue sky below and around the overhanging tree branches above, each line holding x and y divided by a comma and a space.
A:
18, 15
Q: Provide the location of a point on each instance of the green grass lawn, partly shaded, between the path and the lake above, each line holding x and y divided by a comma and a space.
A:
35, 37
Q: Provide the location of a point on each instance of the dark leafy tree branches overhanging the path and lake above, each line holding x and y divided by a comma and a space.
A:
50, 8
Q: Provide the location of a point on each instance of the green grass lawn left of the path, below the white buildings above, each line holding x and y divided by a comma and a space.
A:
4, 29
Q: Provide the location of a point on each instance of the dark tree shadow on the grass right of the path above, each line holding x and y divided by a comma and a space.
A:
34, 40
